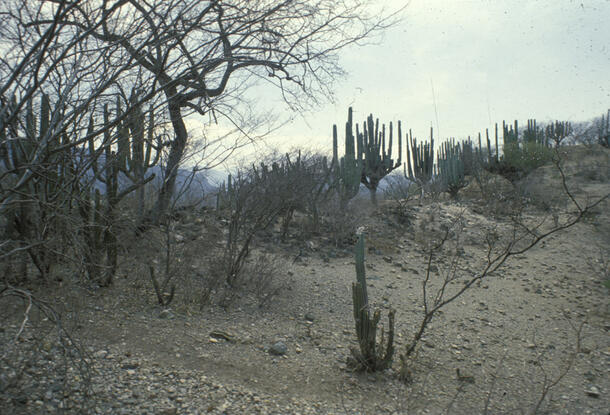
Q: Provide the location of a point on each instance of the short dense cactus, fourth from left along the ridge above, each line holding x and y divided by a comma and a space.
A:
451, 166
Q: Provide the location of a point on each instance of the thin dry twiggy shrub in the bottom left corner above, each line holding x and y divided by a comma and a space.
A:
39, 360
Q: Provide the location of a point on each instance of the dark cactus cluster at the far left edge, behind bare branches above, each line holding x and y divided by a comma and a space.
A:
30, 147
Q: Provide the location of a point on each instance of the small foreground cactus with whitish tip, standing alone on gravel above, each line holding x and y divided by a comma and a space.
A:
372, 355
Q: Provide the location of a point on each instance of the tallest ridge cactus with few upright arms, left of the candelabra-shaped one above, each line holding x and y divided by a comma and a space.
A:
347, 171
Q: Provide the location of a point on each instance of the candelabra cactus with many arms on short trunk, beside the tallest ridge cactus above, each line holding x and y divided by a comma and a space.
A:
377, 157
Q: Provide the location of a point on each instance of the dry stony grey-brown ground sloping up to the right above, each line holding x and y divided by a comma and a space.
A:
530, 337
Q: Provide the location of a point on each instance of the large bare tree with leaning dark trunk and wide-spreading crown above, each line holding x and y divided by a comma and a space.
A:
202, 55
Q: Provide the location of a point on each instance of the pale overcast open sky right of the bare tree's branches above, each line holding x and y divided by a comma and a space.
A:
462, 65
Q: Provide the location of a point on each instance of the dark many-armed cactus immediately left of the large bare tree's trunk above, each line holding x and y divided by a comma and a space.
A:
135, 144
